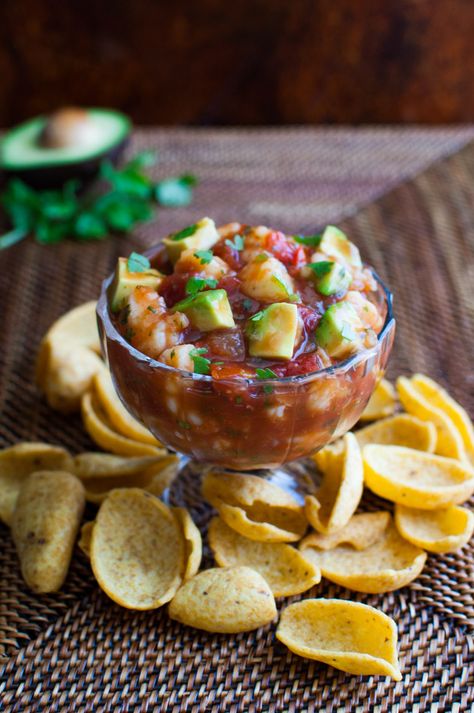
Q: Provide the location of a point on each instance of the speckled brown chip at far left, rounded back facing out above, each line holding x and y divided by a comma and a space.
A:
44, 525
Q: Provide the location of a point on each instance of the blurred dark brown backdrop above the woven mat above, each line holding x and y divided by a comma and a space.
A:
242, 62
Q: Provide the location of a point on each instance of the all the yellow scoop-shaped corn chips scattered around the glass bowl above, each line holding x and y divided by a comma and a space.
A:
145, 554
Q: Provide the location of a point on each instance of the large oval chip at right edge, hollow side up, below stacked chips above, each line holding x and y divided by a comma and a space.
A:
416, 479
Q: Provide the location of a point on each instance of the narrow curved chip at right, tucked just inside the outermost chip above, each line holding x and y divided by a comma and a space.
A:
449, 441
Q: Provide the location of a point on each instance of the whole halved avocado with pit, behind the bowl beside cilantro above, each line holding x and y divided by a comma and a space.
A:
49, 150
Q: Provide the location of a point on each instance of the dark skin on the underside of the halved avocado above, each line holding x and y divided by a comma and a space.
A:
54, 176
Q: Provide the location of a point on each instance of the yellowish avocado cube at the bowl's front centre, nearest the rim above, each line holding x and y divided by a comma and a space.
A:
272, 332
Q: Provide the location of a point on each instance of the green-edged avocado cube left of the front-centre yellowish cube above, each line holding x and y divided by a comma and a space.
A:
207, 310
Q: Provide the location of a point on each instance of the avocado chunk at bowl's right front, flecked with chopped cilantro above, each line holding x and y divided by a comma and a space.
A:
339, 331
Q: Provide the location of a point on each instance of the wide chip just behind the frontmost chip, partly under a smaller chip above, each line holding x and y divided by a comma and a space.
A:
390, 563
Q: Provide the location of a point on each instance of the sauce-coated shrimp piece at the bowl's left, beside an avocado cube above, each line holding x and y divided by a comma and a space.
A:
150, 326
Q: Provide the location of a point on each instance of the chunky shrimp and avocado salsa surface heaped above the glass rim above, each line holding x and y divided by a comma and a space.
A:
241, 300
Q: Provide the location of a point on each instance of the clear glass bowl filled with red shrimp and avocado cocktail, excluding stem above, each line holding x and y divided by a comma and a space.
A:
244, 347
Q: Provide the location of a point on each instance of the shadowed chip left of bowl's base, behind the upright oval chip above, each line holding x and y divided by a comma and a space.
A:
154, 480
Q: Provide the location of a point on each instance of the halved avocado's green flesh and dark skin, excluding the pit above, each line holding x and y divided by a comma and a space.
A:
23, 155
